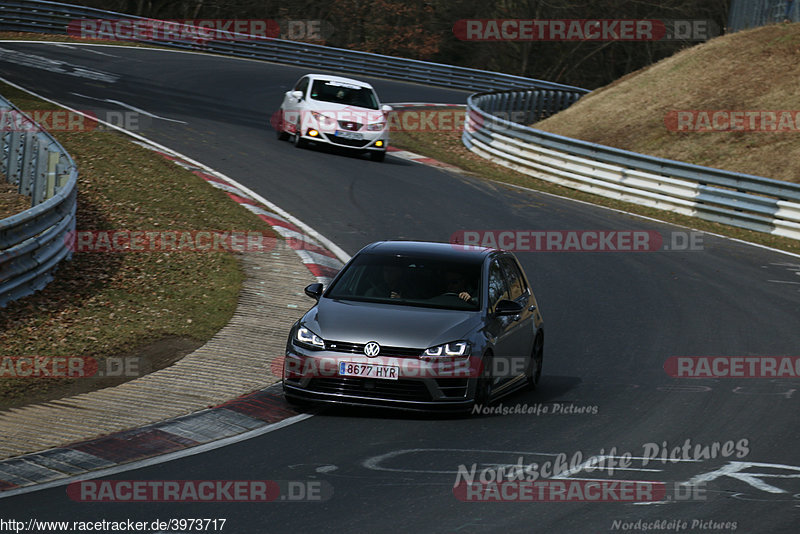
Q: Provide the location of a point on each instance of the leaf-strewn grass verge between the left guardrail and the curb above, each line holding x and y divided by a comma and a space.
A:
152, 306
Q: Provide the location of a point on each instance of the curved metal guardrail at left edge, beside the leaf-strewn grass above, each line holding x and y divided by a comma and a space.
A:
33, 242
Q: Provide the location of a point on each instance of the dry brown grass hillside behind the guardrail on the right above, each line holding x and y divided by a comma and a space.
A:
755, 70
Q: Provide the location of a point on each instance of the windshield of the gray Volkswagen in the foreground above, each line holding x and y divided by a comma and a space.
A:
410, 281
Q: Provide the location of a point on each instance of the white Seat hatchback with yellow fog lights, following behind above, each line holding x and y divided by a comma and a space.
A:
337, 111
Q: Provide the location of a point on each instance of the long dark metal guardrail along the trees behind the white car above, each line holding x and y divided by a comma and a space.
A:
51, 17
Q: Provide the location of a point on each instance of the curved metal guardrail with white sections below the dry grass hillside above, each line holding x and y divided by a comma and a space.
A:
743, 200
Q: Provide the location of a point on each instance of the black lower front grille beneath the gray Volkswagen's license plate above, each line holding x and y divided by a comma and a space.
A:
402, 389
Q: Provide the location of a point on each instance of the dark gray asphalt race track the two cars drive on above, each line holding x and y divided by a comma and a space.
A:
612, 320
